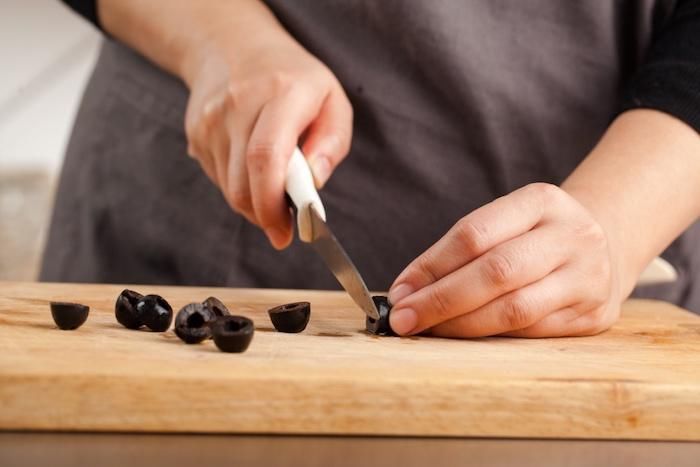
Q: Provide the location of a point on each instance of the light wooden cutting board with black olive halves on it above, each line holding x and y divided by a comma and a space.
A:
640, 380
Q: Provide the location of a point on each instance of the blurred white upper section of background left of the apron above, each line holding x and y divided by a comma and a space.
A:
46, 56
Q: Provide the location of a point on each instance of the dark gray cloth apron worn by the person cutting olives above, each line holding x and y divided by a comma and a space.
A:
455, 103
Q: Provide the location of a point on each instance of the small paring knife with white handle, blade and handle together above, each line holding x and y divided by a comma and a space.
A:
312, 229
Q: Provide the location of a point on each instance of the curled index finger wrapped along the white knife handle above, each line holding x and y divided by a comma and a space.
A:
272, 141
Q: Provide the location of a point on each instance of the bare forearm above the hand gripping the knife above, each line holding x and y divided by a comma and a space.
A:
175, 34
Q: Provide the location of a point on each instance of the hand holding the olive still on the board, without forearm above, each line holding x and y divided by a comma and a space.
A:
533, 263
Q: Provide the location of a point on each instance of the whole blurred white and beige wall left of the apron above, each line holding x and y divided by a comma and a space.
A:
46, 55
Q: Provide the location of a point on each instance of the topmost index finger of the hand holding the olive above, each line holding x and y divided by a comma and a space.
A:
481, 230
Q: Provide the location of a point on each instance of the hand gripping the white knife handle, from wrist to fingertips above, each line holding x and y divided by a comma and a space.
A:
251, 103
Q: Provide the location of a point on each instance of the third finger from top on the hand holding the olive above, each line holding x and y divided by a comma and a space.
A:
515, 310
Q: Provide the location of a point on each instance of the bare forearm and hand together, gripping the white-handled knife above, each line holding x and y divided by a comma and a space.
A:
254, 94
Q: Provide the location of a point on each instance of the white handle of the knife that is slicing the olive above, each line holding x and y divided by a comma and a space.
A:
299, 185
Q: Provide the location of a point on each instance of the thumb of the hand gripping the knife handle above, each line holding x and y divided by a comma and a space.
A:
329, 136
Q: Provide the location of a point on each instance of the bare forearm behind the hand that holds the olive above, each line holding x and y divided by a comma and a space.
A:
642, 184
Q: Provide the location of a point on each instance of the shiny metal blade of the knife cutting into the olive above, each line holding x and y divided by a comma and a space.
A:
338, 261
